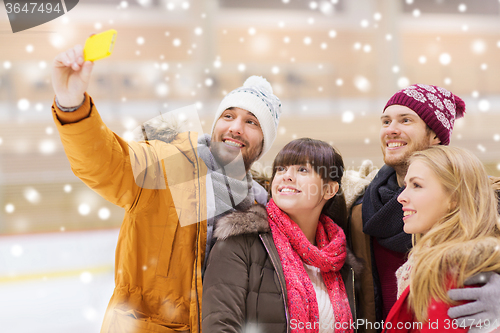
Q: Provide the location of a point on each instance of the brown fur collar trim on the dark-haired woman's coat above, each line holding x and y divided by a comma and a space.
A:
253, 221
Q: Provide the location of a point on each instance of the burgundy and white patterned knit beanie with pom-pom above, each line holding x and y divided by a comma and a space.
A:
437, 107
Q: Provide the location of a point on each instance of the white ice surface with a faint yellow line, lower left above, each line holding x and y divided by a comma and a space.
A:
56, 282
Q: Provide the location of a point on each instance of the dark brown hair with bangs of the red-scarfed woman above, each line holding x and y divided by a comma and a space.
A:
326, 162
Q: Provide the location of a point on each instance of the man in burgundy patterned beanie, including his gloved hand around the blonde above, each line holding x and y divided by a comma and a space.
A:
413, 119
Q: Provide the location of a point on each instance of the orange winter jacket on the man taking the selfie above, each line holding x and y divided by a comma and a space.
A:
158, 259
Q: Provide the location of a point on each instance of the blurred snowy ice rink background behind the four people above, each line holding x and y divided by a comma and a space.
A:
333, 63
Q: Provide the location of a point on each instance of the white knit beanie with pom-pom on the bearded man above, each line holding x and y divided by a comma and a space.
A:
255, 96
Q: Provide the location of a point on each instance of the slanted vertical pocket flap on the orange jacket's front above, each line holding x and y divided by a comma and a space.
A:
167, 243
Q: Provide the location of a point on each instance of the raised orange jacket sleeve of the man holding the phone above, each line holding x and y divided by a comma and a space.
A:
102, 159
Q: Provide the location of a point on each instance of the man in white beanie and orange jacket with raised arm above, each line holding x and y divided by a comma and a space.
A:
173, 202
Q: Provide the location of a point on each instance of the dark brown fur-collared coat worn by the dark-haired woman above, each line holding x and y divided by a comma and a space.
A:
244, 286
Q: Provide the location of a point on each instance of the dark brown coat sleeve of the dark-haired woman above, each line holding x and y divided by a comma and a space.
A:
225, 286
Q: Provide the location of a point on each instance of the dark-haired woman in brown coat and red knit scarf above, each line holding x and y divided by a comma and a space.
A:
285, 267
